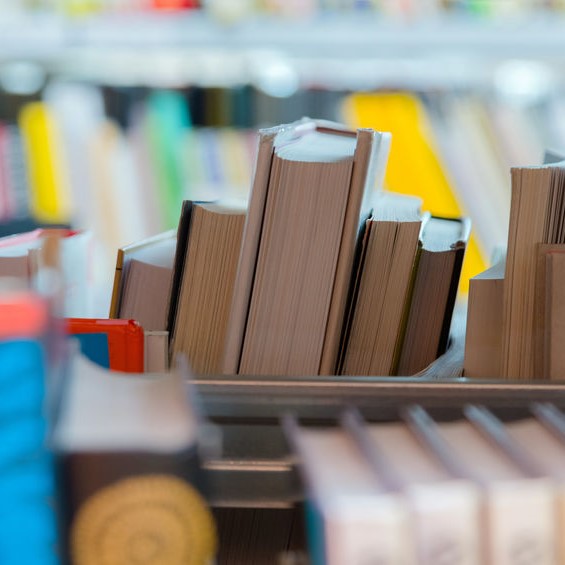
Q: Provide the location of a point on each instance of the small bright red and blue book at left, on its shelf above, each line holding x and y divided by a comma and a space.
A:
114, 344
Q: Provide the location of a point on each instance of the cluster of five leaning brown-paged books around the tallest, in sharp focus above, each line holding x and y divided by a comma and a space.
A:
322, 272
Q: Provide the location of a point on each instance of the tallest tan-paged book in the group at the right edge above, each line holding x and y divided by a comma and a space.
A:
535, 217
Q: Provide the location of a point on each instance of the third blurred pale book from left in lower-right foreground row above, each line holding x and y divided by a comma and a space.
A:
512, 492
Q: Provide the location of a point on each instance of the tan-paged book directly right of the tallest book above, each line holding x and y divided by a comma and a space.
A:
382, 288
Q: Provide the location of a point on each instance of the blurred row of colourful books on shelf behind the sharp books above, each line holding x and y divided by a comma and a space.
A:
119, 161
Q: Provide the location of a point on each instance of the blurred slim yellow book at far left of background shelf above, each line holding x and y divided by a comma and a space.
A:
50, 194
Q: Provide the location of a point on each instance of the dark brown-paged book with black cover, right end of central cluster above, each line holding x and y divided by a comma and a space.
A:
436, 283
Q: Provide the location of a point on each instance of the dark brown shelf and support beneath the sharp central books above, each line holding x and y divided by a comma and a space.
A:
256, 469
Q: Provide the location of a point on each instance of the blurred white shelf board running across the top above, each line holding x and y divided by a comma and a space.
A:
349, 50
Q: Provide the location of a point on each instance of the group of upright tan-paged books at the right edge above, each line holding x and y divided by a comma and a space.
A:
514, 326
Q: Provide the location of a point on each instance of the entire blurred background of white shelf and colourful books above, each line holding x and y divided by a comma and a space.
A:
114, 111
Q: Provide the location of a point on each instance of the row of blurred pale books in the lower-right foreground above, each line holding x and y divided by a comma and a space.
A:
471, 490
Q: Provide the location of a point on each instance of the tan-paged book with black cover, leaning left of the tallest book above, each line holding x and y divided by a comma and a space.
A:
206, 284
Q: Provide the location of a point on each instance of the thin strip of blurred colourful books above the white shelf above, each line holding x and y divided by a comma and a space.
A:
411, 8
